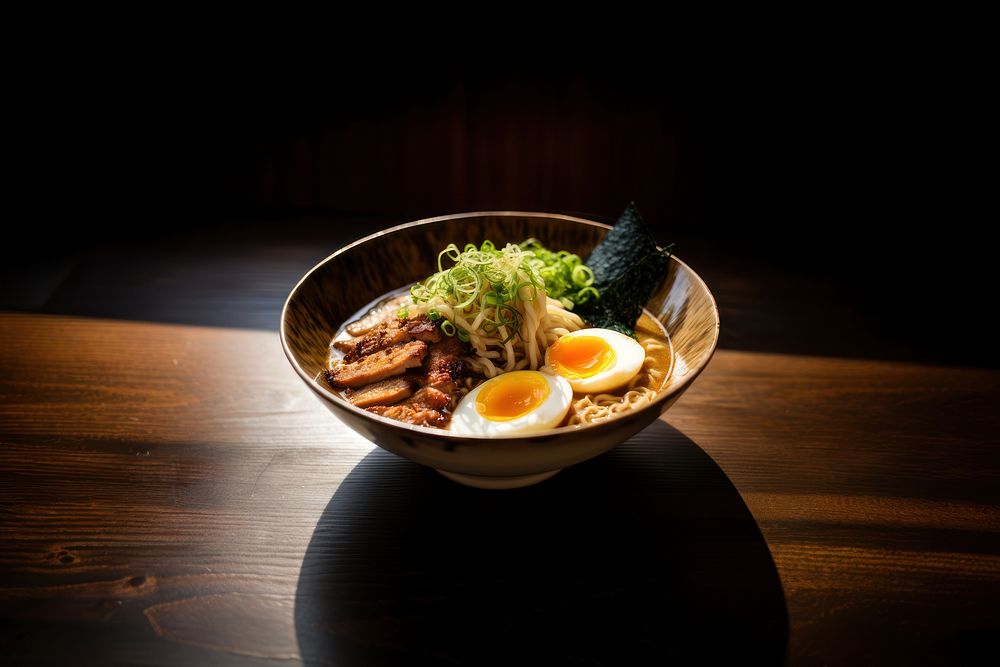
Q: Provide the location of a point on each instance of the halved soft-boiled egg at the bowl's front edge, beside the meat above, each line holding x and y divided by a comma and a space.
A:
514, 402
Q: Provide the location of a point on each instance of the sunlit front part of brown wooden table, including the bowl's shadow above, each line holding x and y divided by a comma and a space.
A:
174, 495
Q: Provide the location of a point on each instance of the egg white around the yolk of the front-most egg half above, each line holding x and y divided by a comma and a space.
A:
466, 419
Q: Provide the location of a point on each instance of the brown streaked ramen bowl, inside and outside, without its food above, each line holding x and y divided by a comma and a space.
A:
362, 272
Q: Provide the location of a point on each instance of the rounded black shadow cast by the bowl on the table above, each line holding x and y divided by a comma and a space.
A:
643, 555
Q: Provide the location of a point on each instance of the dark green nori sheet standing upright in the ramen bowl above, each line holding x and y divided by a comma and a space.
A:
628, 267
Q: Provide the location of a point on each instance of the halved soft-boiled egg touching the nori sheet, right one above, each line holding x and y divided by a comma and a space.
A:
595, 360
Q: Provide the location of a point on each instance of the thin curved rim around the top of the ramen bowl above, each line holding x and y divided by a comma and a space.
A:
344, 404
